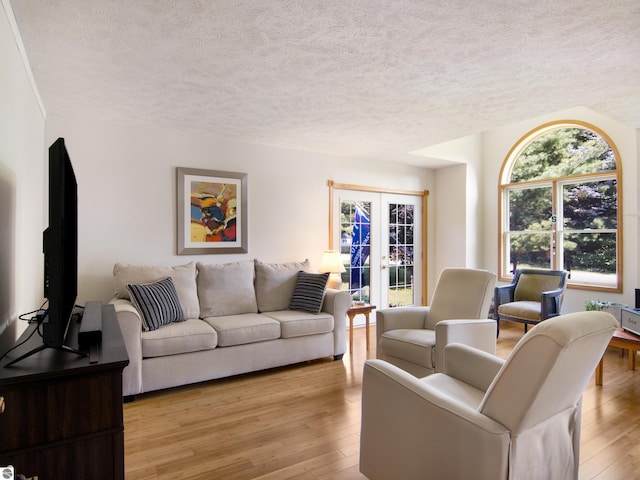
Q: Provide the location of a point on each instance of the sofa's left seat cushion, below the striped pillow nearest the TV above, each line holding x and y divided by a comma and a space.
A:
192, 335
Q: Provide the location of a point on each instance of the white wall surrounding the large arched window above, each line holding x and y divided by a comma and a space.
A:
496, 145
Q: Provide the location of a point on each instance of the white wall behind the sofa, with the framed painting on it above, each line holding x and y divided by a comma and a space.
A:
127, 193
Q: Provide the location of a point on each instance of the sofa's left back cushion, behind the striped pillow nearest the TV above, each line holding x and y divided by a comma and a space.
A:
183, 276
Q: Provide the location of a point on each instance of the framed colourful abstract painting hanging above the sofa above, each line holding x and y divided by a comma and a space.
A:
211, 211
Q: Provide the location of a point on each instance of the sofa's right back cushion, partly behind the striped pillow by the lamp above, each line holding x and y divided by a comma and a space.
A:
275, 283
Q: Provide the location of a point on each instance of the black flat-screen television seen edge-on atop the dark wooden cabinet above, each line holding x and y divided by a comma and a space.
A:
60, 245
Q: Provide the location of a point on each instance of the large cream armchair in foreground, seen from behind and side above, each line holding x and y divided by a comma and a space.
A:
485, 418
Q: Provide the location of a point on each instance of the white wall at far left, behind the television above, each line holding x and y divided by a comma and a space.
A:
21, 188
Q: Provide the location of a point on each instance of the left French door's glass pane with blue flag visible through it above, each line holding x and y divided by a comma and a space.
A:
355, 247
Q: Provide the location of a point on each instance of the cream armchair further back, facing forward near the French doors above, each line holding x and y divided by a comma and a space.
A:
413, 338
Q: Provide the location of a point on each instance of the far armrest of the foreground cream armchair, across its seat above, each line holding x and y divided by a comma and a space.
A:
470, 365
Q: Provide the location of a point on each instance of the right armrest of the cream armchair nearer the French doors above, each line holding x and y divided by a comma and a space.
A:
477, 333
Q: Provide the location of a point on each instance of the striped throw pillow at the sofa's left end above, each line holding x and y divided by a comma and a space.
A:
157, 303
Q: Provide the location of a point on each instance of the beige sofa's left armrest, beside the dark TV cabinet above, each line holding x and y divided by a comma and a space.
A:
131, 327
